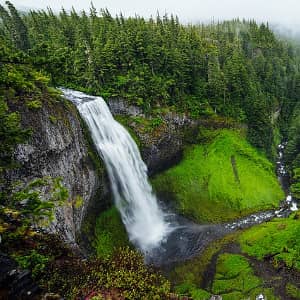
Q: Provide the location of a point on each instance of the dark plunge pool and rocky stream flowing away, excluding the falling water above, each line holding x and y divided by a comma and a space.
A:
189, 239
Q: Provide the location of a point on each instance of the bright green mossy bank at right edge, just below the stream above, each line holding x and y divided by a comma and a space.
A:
279, 239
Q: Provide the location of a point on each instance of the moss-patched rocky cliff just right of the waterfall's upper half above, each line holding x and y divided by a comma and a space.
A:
161, 140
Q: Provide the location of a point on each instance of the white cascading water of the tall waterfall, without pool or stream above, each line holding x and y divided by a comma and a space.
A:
141, 215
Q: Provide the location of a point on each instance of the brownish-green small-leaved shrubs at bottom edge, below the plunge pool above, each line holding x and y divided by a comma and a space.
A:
125, 273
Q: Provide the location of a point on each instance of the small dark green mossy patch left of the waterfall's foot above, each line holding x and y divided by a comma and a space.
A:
110, 233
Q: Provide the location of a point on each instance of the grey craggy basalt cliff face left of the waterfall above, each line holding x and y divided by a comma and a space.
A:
60, 147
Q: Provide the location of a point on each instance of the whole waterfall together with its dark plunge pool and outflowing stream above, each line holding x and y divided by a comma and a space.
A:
165, 238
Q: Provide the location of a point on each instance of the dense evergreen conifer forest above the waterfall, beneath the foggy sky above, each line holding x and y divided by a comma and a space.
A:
237, 69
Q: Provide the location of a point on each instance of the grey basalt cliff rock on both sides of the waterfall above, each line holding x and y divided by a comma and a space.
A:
60, 146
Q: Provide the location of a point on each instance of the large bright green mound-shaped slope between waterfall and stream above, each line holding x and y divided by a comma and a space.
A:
222, 179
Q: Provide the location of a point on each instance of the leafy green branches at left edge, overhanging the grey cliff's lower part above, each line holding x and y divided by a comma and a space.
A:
26, 207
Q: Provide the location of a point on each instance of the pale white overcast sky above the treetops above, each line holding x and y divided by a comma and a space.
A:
285, 12
